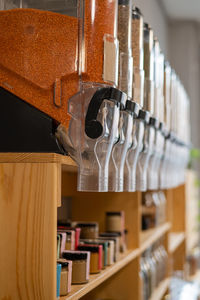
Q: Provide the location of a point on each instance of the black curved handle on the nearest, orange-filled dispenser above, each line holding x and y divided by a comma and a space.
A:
93, 128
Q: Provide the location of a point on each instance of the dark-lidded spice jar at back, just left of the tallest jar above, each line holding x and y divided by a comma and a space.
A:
88, 230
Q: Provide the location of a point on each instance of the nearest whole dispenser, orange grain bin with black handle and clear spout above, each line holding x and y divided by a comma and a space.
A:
58, 82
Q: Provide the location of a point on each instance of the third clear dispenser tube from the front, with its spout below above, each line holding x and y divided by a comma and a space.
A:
138, 97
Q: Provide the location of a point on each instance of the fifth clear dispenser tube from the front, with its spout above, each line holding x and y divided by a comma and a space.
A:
155, 159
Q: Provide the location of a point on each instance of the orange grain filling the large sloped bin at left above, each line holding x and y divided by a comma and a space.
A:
38, 59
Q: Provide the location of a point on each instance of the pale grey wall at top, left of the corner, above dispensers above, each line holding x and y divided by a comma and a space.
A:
154, 15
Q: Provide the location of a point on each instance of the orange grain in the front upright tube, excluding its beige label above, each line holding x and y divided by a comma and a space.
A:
100, 19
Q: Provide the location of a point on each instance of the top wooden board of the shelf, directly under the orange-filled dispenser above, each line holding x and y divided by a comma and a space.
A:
37, 158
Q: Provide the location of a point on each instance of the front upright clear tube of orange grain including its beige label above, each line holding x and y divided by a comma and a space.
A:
99, 52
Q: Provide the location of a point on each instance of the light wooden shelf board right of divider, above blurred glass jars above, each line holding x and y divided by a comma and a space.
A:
148, 237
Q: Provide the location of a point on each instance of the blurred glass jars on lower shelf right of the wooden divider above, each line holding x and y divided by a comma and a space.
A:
153, 269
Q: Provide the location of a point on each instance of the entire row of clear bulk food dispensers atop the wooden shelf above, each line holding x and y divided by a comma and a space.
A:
88, 79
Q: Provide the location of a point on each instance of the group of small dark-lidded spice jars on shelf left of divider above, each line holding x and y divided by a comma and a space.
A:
83, 250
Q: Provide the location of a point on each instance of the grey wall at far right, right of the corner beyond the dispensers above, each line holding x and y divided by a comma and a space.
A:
185, 58
